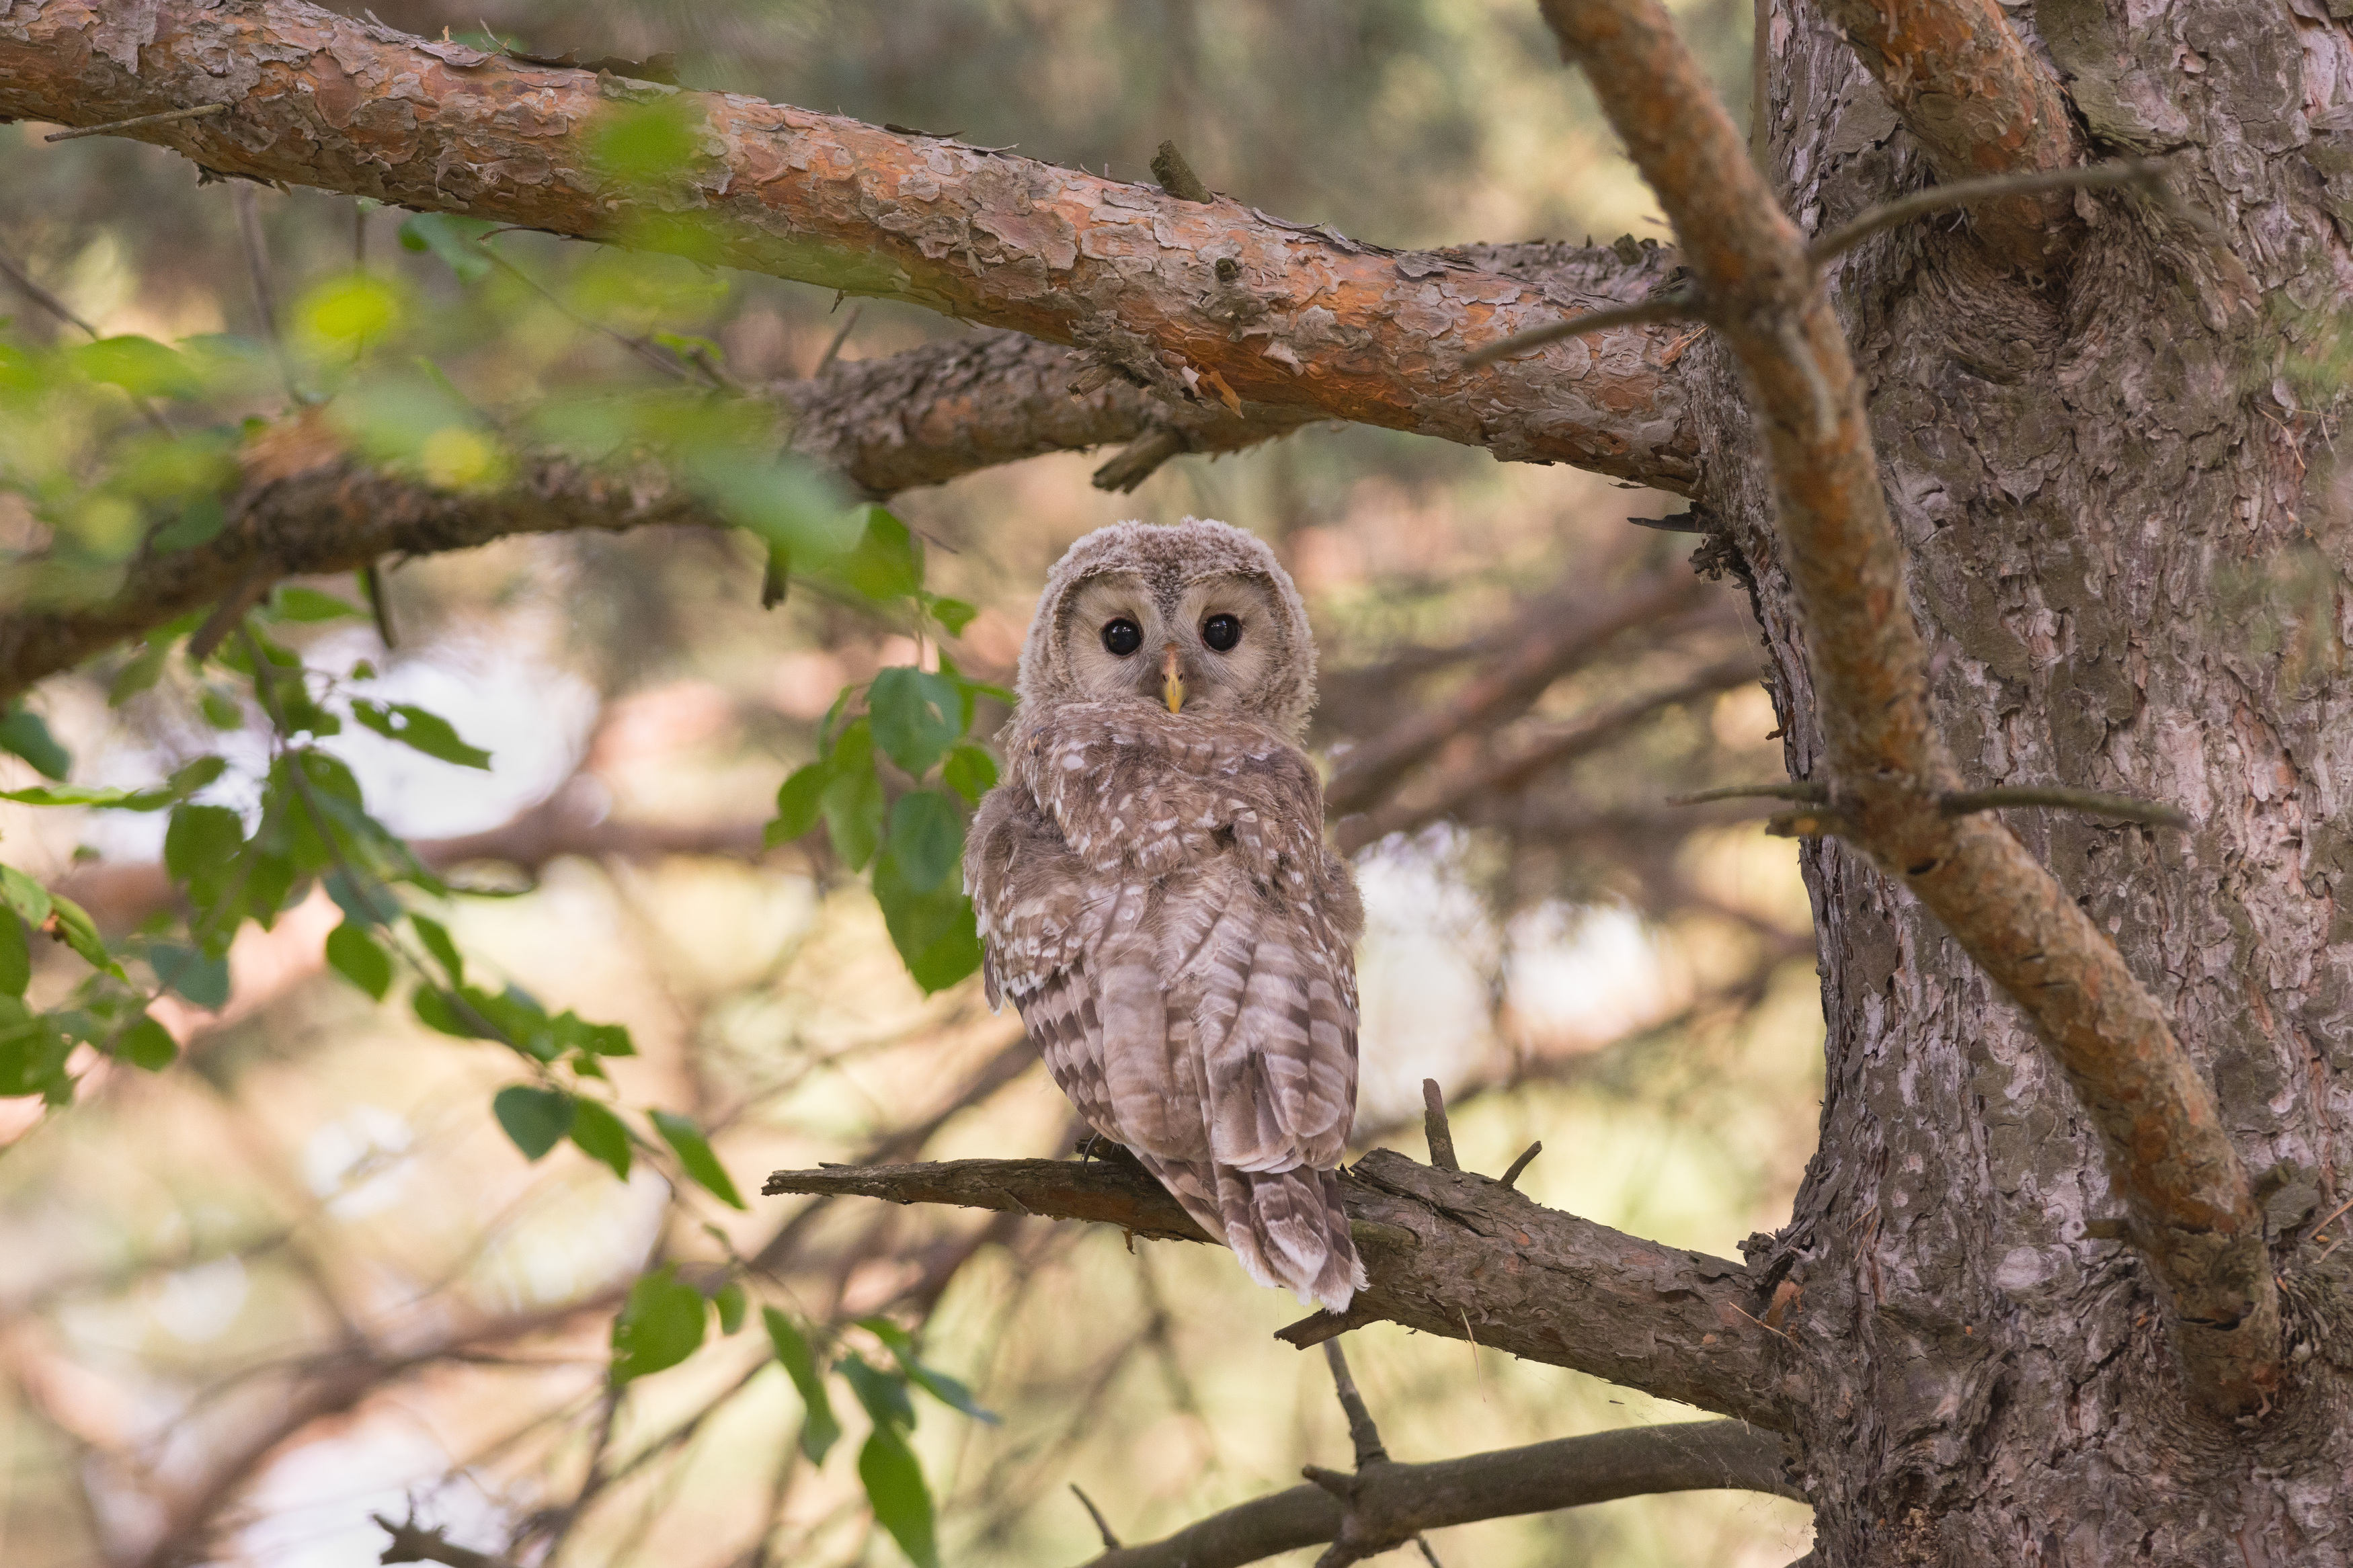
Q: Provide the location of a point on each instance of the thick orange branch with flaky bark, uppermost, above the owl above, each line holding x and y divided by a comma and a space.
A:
1187, 300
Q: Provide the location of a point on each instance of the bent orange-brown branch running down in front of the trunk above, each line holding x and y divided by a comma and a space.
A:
2189, 1198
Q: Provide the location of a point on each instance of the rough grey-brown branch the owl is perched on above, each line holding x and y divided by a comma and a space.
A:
1448, 1254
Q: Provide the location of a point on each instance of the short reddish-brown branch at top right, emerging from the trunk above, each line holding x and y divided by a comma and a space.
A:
1980, 105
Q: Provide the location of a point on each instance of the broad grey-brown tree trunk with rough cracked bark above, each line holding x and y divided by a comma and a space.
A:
2131, 563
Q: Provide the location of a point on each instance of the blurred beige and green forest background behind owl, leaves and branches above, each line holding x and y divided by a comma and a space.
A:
302, 1278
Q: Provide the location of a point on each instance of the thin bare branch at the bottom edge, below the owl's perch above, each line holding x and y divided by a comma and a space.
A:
1401, 1501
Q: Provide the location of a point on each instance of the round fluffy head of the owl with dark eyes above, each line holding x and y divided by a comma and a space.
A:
1199, 617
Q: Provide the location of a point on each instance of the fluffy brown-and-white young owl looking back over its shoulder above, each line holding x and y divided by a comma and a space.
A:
1156, 897
